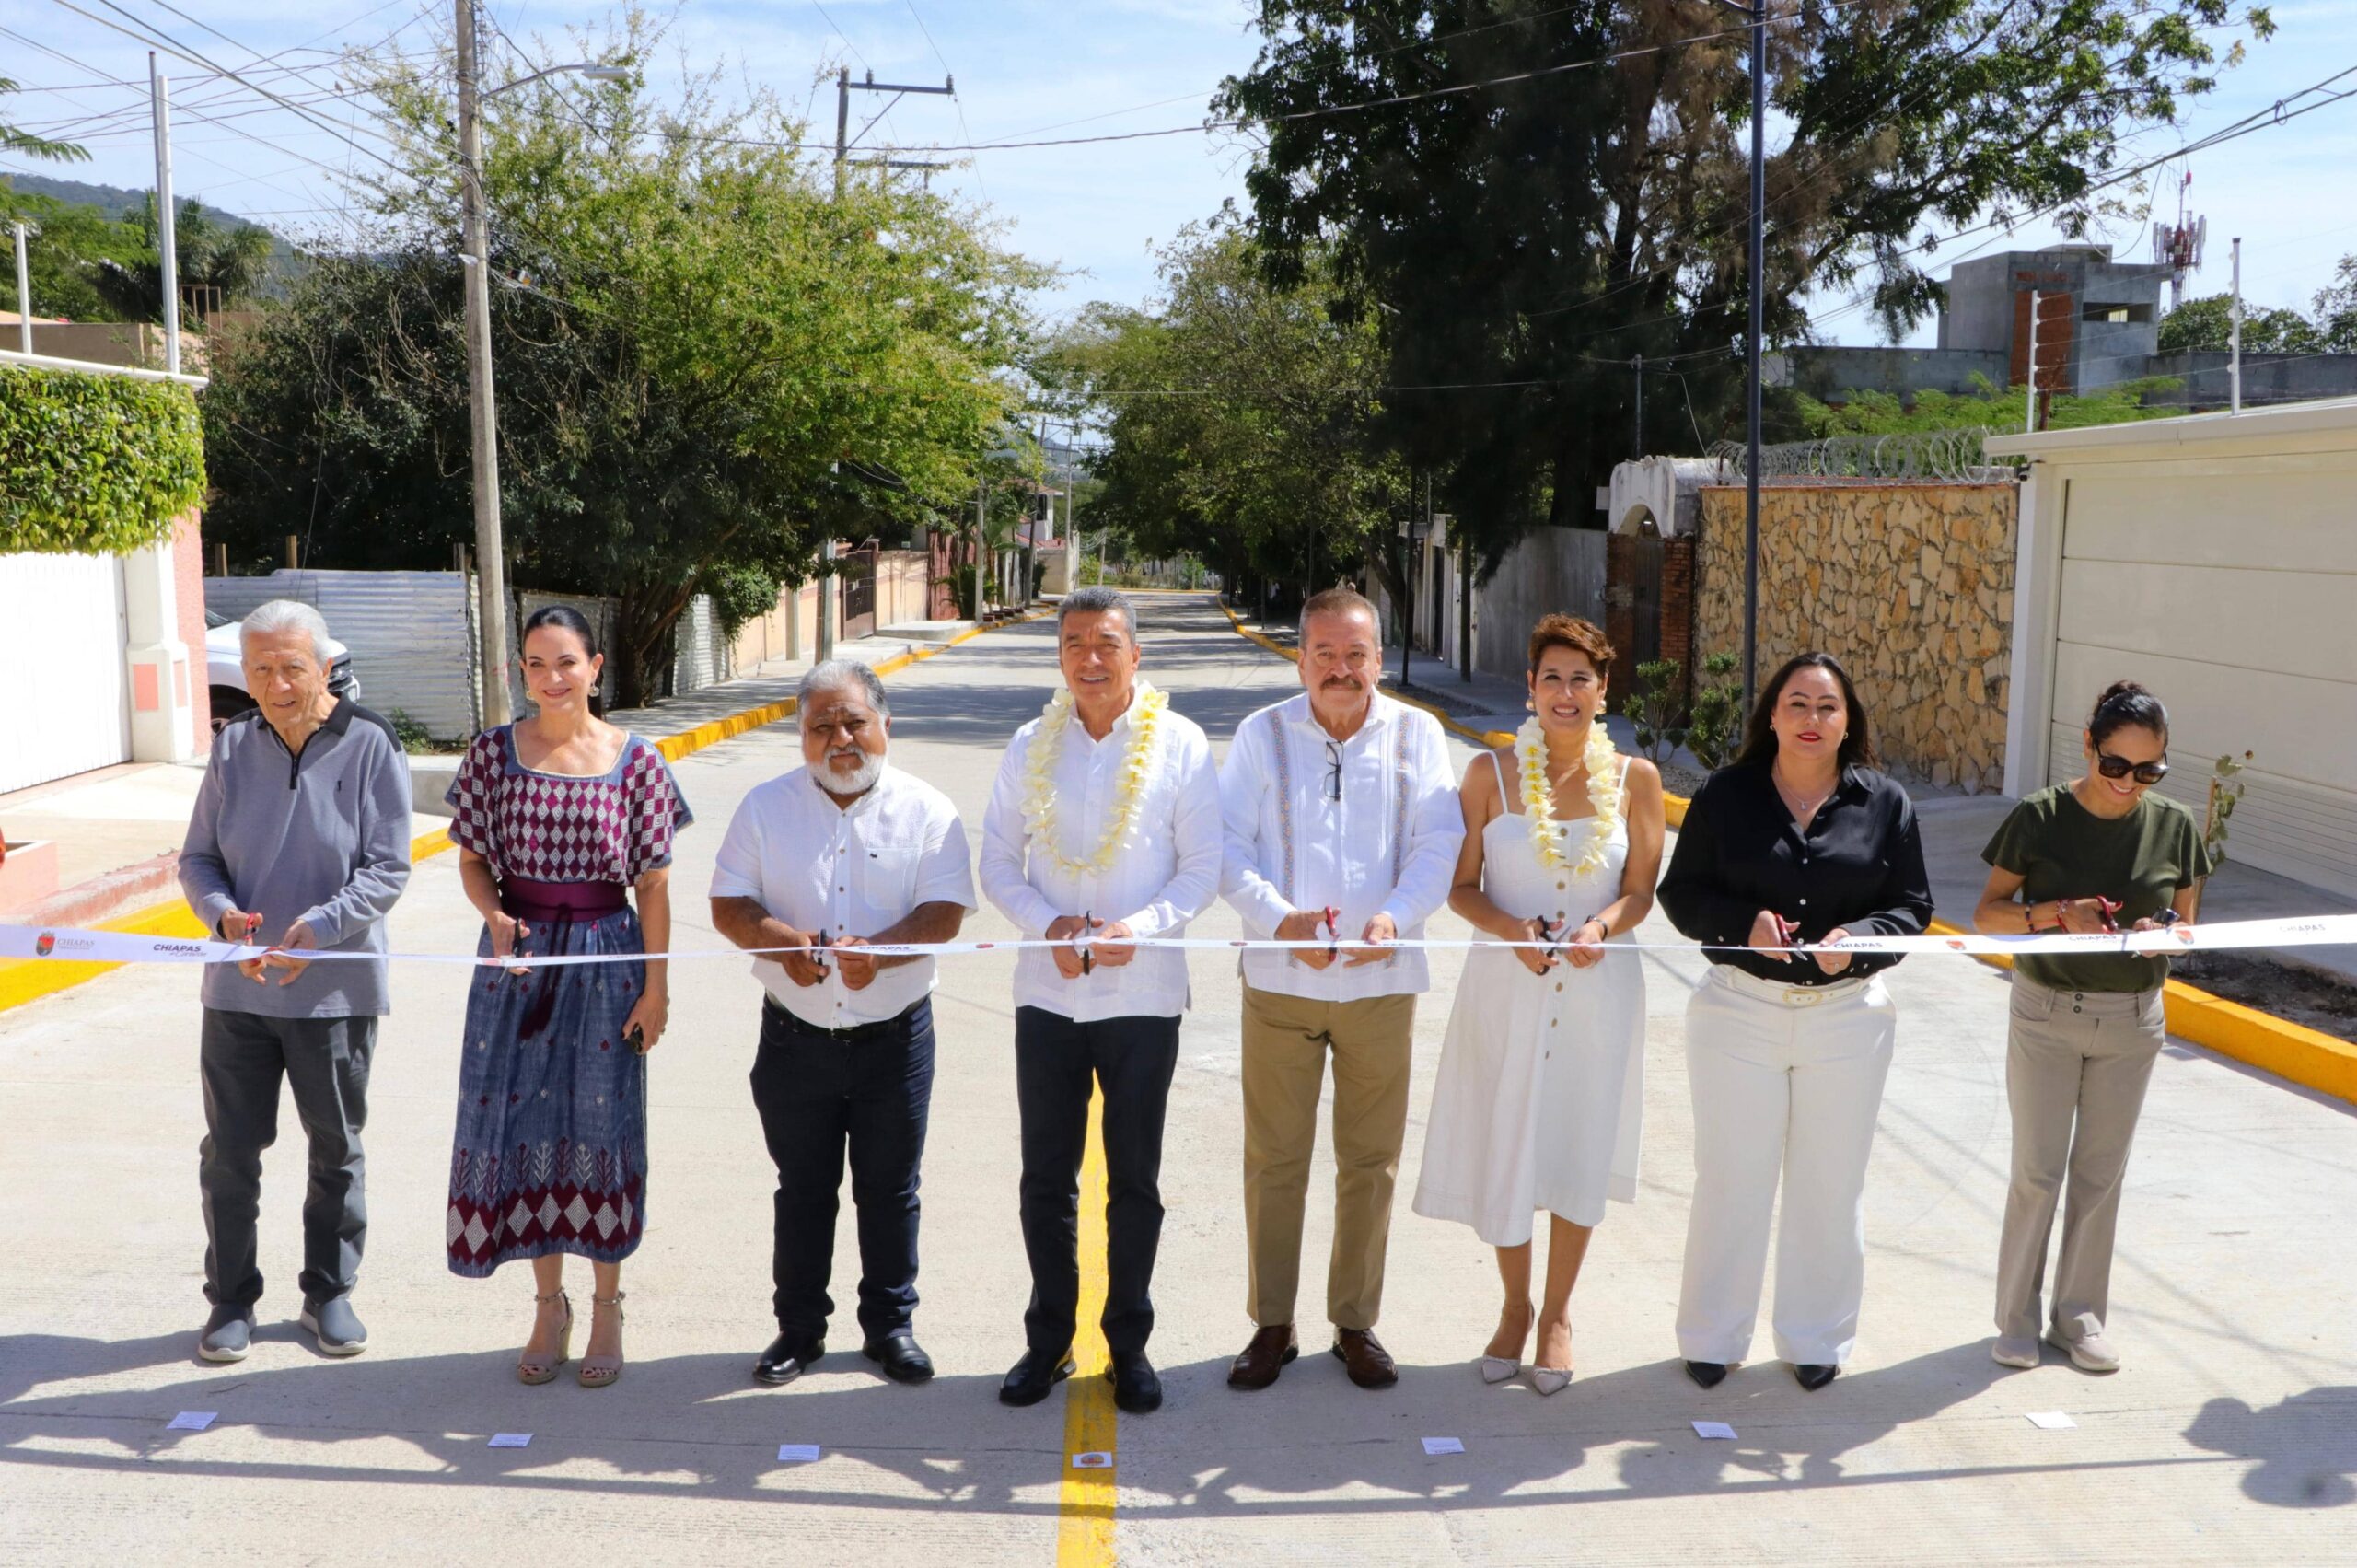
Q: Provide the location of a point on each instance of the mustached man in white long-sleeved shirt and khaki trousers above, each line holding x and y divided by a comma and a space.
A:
1342, 826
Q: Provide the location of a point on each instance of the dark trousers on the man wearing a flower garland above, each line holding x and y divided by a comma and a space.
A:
1130, 1060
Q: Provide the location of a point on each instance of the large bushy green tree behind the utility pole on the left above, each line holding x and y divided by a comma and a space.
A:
704, 360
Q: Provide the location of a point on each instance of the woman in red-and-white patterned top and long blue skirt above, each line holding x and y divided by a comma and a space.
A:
557, 819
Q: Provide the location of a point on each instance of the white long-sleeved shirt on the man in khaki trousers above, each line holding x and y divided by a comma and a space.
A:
1380, 850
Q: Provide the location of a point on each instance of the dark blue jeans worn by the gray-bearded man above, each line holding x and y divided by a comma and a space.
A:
871, 1091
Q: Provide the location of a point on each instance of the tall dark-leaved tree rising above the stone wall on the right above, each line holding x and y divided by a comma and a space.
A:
1529, 225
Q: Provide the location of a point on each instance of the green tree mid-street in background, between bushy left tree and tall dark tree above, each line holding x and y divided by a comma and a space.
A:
1239, 419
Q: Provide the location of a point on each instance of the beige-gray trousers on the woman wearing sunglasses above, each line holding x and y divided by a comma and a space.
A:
2075, 1074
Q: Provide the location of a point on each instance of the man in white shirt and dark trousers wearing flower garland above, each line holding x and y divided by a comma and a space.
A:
1104, 826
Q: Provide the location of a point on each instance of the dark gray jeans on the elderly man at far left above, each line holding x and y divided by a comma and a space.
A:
242, 1060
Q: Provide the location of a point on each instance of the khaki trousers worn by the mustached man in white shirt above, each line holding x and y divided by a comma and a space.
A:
1286, 1053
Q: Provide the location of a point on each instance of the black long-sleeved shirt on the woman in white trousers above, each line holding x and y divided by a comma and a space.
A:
1741, 852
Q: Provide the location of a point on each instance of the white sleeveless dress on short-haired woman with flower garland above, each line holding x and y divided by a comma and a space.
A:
1543, 1079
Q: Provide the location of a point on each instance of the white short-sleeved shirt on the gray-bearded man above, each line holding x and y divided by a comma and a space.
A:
845, 871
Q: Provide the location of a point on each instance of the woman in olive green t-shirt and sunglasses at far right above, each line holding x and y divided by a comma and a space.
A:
2101, 852
